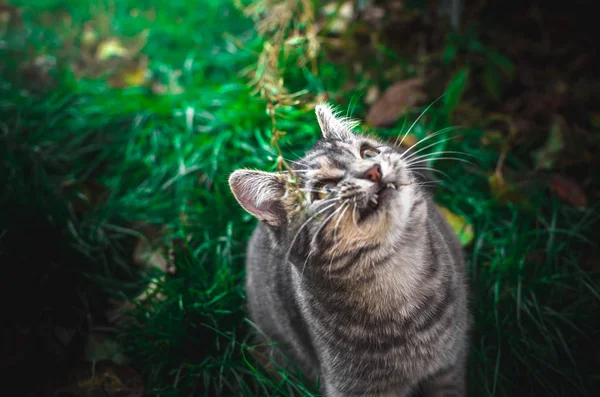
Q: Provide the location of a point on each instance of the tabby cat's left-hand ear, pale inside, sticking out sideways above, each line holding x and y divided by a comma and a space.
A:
260, 193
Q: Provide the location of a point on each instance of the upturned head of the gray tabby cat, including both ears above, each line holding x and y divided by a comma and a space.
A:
354, 189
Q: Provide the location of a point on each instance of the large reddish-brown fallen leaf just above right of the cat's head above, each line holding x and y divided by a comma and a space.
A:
395, 101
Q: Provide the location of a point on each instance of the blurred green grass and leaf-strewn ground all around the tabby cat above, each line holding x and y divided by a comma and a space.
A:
120, 123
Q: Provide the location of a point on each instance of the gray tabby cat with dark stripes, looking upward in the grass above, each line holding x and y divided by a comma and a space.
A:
354, 270
